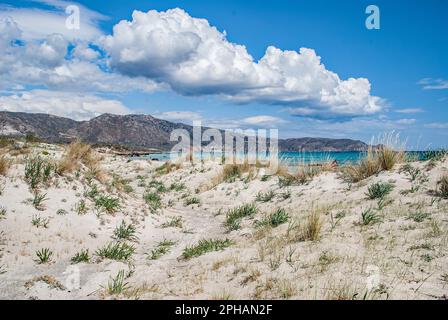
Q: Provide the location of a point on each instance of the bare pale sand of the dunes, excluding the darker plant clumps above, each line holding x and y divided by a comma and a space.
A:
402, 257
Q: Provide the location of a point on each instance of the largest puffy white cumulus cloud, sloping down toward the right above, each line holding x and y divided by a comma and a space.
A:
194, 58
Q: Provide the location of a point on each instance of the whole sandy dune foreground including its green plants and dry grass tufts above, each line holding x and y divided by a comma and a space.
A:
80, 223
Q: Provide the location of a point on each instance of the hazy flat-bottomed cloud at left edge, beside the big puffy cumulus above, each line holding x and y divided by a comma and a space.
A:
49, 62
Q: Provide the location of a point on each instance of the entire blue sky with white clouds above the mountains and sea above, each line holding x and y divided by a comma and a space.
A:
308, 68
